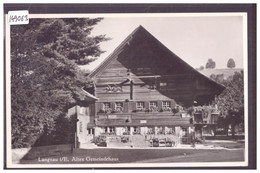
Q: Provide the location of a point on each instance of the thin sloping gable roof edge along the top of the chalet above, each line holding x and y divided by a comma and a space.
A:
142, 30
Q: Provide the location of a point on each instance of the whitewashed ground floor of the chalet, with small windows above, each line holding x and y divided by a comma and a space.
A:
138, 136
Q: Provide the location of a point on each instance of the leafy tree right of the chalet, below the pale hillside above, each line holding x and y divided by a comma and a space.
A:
231, 101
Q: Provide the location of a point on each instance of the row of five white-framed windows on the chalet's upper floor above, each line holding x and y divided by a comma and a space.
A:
139, 105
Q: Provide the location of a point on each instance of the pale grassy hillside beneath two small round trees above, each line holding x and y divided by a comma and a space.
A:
227, 72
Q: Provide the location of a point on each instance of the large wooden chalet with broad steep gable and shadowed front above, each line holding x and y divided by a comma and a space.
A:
143, 88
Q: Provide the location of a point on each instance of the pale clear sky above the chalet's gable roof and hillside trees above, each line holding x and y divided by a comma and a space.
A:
193, 39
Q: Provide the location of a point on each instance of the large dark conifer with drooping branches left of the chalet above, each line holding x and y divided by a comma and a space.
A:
45, 77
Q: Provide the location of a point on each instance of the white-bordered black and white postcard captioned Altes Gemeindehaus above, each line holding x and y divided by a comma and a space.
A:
127, 90
